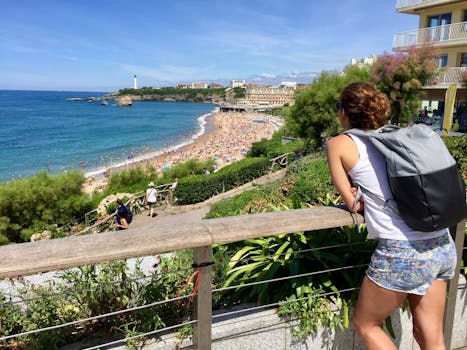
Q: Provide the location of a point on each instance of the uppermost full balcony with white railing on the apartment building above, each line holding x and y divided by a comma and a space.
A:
439, 36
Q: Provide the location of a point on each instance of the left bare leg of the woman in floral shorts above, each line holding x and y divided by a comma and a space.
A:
374, 305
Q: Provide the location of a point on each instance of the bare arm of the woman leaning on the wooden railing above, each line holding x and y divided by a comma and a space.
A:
342, 156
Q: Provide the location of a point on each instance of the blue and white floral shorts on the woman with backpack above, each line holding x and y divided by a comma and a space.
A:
412, 266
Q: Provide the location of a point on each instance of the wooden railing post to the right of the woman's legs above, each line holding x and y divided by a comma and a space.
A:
458, 236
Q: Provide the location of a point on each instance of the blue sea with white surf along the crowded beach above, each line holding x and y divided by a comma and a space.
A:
42, 130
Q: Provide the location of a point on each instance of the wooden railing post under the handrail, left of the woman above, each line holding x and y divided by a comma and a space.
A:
203, 303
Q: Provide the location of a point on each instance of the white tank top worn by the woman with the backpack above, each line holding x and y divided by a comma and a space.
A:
370, 172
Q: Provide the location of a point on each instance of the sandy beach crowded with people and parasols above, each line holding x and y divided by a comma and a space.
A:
227, 138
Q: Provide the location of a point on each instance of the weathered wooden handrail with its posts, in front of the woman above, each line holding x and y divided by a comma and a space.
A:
32, 258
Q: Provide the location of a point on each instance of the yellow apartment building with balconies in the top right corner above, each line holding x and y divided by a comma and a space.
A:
442, 25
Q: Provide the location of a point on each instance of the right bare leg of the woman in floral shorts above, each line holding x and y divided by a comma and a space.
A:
428, 313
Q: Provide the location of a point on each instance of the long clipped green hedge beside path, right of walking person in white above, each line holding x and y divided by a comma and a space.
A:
197, 188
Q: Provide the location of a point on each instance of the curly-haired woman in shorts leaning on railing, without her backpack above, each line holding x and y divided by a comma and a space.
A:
406, 264
